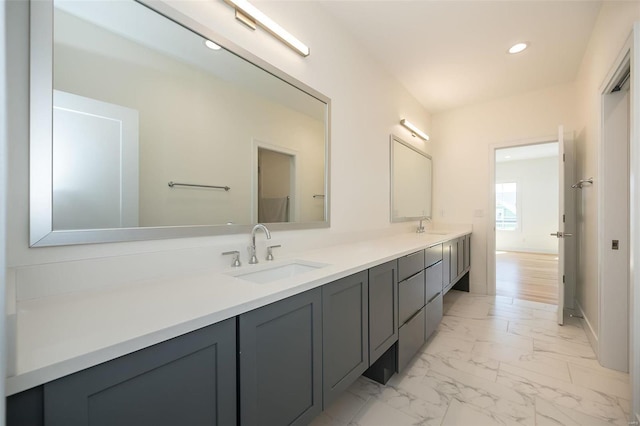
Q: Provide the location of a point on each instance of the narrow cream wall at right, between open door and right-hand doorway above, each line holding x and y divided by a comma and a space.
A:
611, 30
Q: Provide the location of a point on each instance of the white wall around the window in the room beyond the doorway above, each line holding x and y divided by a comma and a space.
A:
537, 181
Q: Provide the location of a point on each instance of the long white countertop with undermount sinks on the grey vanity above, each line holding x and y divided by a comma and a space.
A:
63, 334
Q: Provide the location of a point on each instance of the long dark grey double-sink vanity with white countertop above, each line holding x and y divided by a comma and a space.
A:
273, 343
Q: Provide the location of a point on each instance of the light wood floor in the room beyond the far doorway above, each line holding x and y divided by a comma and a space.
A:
527, 276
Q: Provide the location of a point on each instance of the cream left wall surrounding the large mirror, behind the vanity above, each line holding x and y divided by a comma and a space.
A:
367, 105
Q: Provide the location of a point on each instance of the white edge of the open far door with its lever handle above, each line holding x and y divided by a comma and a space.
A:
561, 233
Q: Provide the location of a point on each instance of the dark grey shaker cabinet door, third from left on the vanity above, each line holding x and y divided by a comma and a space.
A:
345, 333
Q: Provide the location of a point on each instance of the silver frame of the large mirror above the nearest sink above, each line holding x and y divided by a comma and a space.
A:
41, 232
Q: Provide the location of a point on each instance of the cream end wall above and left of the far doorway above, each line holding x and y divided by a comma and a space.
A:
462, 142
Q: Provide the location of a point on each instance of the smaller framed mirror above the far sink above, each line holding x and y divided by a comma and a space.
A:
411, 182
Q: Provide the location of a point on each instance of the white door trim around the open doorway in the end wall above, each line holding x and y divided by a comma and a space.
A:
491, 221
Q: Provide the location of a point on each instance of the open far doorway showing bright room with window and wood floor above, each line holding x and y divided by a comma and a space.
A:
526, 211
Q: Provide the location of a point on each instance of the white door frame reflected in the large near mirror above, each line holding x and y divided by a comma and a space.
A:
294, 207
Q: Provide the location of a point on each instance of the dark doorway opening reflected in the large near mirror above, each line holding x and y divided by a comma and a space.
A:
276, 174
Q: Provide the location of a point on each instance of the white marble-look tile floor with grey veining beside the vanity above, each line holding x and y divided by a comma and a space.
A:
493, 361
